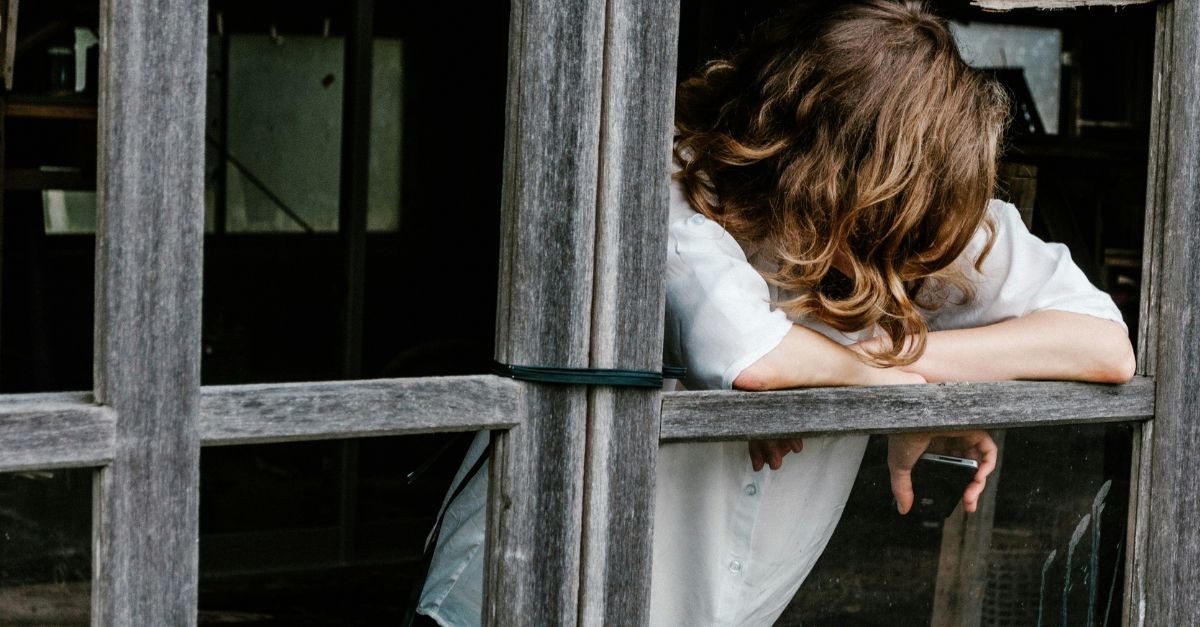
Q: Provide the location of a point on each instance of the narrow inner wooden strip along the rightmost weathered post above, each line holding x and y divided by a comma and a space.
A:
1138, 530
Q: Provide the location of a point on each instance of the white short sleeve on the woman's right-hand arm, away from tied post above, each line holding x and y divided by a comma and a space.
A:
1021, 276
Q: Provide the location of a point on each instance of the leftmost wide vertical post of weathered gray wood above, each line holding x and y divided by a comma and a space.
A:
148, 308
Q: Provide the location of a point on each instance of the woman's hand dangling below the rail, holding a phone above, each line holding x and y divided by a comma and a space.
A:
904, 450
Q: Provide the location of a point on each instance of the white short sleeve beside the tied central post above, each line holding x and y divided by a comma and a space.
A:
719, 314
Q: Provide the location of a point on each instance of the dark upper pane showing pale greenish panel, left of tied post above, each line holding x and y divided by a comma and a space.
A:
275, 296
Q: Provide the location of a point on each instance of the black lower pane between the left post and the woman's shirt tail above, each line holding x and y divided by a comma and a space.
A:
285, 542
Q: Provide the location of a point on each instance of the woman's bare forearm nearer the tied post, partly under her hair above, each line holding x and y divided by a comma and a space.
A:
807, 359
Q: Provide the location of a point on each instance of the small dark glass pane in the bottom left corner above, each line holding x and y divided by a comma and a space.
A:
46, 547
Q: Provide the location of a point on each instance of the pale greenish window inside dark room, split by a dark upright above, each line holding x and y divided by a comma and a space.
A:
285, 129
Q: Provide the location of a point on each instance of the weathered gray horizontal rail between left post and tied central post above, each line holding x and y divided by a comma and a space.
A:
281, 413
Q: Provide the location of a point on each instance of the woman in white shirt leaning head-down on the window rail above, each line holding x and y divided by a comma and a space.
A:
830, 225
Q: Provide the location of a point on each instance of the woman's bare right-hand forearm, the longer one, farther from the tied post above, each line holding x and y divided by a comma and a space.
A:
1045, 345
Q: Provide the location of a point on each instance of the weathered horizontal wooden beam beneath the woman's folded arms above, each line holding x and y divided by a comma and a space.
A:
697, 416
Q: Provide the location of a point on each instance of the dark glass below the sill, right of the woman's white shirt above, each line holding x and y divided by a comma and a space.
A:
1055, 551
